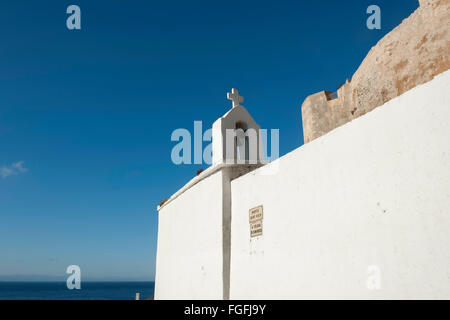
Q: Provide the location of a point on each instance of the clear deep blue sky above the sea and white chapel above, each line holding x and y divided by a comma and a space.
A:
90, 112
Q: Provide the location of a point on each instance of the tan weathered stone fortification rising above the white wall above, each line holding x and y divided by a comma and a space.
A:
411, 54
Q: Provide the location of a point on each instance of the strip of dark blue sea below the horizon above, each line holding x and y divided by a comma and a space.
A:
14, 290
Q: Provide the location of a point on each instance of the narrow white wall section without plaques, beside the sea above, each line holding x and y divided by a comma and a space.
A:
189, 250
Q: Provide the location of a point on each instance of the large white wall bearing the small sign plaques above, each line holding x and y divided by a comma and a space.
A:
375, 191
